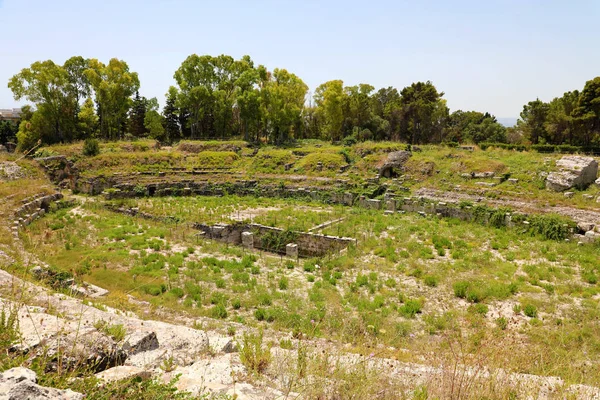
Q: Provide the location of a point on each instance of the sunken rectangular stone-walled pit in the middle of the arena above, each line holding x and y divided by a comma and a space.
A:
309, 244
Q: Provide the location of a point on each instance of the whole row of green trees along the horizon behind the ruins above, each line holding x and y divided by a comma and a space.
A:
221, 97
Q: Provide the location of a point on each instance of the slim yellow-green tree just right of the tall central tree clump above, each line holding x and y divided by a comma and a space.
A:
329, 98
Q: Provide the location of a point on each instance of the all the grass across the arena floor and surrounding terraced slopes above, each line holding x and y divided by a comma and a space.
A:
413, 286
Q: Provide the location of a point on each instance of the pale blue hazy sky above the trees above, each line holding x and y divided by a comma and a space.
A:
485, 55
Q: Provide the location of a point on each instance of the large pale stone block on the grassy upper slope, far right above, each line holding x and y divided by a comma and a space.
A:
575, 171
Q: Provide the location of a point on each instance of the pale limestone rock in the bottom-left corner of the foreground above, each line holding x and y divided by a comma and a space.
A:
20, 384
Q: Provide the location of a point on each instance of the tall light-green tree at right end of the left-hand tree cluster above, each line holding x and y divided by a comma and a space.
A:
113, 86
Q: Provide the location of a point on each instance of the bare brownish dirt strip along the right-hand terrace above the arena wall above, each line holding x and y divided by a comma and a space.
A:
577, 214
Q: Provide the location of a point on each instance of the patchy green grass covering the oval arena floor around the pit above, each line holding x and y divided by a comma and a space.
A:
363, 297
